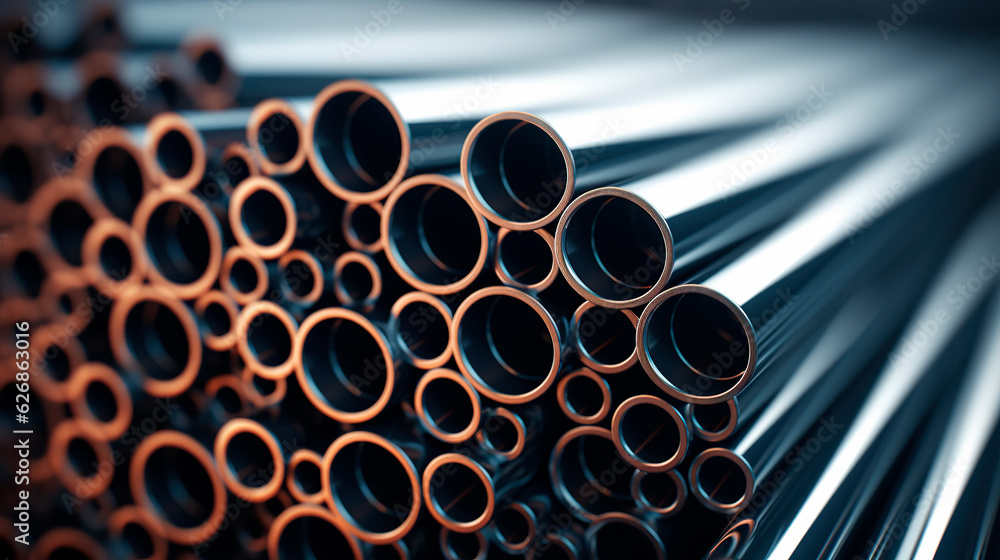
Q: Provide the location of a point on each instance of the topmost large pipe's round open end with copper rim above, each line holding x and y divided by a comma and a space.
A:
360, 145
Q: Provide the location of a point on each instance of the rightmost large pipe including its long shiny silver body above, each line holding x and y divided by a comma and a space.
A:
736, 304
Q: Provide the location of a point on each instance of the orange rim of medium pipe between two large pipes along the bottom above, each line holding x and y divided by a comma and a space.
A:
225, 436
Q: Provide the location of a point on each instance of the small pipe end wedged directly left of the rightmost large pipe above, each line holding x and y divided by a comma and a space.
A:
605, 338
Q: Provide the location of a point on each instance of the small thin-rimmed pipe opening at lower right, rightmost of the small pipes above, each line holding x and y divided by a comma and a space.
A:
722, 480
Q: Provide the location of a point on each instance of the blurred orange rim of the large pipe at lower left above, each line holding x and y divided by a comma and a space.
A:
137, 484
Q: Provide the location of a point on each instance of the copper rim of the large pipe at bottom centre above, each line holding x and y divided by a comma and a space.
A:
330, 497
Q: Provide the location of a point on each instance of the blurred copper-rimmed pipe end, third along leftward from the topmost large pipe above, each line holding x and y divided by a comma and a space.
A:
112, 161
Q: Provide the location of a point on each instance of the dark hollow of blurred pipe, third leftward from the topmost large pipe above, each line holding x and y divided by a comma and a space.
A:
118, 180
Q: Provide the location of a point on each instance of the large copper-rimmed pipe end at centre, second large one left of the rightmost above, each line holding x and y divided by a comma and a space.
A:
494, 331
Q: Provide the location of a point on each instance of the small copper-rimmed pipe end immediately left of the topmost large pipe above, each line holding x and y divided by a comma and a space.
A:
276, 136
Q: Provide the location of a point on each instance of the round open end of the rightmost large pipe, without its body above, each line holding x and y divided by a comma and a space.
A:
699, 346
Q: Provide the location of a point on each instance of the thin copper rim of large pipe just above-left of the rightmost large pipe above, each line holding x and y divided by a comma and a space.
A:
570, 275
